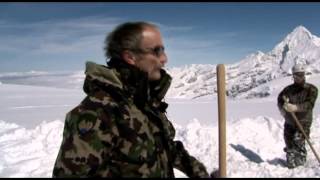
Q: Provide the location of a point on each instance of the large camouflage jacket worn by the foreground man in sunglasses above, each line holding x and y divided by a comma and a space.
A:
120, 129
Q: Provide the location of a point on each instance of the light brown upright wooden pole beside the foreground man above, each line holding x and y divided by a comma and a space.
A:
222, 119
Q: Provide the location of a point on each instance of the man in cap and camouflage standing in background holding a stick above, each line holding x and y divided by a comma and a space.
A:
298, 98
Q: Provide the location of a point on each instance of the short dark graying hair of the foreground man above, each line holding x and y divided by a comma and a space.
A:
126, 36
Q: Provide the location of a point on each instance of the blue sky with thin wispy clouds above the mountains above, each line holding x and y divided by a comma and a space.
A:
62, 36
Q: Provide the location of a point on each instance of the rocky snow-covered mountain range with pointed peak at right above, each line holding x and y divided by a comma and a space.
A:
299, 46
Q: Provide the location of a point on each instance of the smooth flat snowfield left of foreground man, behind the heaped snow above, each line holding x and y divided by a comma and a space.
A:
30, 105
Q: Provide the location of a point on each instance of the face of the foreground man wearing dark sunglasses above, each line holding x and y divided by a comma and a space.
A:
152, 56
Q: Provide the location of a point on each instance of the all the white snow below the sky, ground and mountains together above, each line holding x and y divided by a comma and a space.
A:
34, 104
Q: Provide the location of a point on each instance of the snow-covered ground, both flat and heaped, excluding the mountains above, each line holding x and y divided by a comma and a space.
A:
30, 145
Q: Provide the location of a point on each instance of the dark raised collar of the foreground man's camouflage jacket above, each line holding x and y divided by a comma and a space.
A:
127, 78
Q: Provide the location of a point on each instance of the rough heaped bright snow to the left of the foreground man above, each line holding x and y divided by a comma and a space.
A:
29, 152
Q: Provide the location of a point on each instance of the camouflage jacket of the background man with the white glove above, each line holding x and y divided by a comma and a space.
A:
304, 97
